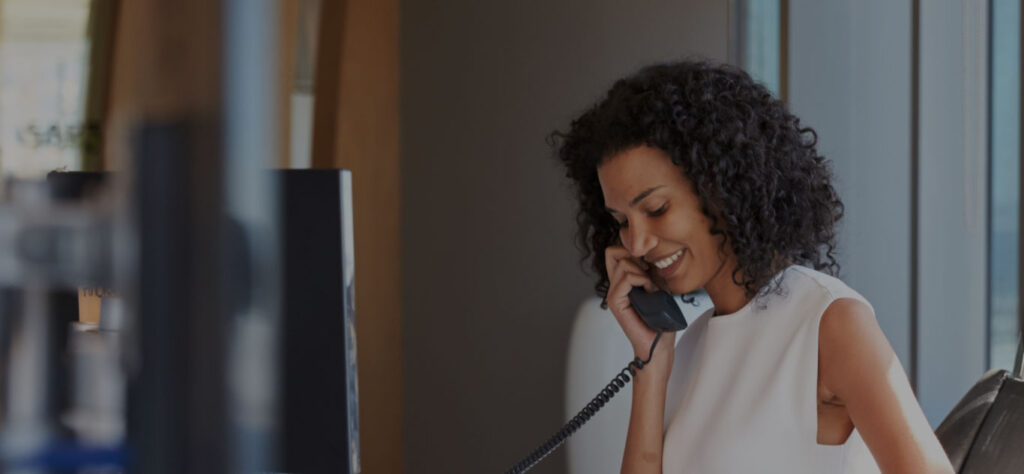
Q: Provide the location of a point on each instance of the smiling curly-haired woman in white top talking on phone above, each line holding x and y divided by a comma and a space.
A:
691, 176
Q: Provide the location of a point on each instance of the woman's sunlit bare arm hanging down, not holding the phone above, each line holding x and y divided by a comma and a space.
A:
858, 364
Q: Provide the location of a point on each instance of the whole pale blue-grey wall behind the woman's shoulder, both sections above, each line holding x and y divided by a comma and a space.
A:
852, 79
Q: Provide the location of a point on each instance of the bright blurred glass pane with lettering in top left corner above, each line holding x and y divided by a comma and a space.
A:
45, 55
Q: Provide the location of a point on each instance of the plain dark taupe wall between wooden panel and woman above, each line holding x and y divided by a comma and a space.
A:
491, 276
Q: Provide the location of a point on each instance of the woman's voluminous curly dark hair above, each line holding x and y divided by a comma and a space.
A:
756, 170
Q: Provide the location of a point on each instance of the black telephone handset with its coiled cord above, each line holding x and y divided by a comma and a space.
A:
660, 312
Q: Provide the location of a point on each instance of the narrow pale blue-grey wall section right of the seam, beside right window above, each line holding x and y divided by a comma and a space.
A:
954, 221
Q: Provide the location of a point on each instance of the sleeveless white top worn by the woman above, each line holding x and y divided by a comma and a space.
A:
743, 395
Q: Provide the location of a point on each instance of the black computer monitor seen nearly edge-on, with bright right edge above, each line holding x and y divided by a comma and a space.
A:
320, 410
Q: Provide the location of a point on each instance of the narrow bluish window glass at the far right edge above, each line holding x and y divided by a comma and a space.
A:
1005, 200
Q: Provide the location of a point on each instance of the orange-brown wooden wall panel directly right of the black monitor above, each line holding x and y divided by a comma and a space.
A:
368, 145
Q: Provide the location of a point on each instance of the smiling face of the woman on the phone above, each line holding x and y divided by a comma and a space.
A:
660, 221
